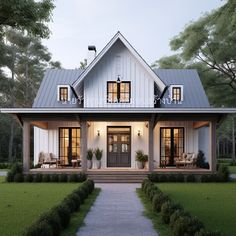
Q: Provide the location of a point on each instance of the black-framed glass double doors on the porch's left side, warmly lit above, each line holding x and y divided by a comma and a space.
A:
69, 145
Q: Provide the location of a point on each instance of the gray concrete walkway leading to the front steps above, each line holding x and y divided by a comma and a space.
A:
117, 211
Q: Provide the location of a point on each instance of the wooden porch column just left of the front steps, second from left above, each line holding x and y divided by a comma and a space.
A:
83, 145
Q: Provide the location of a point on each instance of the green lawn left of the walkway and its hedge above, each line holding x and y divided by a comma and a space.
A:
22, 203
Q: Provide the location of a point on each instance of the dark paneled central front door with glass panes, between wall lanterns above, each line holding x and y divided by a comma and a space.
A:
118, 147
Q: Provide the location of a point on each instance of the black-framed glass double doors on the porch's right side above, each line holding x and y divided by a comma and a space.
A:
172, 145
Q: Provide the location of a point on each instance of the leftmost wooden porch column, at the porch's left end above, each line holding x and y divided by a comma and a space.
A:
26, 146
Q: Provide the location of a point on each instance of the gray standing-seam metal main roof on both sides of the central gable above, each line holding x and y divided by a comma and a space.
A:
194, 94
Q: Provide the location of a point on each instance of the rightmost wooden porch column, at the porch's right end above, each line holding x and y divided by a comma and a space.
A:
212, 146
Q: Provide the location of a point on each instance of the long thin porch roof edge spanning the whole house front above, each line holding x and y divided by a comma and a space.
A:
119, 110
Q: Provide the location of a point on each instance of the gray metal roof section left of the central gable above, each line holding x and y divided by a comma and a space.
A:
47, 94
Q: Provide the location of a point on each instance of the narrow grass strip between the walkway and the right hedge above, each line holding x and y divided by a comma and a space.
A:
162, 229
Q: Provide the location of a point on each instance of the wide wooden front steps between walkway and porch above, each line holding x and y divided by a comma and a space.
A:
117, 177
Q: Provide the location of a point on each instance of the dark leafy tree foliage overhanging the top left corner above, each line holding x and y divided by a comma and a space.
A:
29, 15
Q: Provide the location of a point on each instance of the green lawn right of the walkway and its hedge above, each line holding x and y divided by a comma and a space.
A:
213, 203
